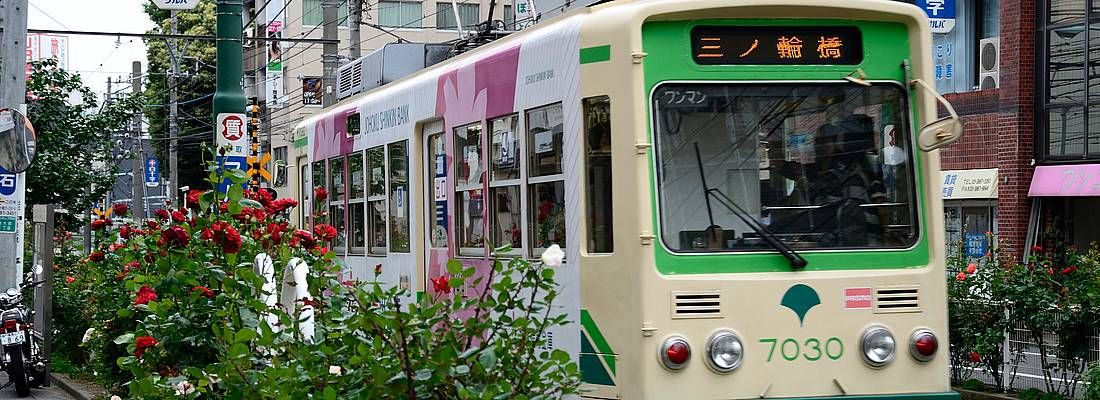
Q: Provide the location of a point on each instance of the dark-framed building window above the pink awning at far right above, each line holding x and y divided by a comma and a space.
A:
1071, 103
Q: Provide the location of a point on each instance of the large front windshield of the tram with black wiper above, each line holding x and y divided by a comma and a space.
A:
818, 165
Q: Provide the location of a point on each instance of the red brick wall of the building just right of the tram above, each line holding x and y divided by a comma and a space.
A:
1000, 125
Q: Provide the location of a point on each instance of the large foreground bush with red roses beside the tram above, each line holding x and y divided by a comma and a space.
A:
175, 310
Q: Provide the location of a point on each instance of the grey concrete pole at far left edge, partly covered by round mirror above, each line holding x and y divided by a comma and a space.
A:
14, 96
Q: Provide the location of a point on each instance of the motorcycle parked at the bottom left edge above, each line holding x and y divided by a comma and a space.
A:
21, 348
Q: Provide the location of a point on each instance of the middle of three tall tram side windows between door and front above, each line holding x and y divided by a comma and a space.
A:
505, 202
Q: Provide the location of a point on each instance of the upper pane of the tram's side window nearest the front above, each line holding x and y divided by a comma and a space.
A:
545, 137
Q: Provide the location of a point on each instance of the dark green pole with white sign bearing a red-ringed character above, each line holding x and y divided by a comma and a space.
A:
229, 101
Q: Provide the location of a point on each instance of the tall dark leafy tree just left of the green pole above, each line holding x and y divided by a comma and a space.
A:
195, 88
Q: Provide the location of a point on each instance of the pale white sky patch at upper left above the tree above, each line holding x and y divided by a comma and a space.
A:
96, 59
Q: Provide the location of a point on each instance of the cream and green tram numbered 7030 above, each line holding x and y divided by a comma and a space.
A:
746, 191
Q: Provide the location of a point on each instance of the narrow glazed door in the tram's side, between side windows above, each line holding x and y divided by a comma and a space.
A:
435, 196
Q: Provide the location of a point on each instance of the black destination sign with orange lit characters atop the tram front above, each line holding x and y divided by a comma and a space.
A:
777, 46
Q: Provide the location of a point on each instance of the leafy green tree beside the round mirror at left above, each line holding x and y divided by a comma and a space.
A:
74, 151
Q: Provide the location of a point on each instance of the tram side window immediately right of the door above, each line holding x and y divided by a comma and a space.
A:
470, 219
